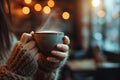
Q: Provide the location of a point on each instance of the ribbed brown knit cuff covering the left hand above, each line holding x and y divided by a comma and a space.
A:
21, 62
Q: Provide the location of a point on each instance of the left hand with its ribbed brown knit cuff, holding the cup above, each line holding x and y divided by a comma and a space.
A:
23, 59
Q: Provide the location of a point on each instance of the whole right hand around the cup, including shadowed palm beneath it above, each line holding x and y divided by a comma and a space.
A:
48, 64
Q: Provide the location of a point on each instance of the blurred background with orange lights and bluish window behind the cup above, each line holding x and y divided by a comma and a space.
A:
92, 25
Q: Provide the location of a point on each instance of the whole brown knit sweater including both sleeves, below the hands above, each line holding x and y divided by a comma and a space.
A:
21, 66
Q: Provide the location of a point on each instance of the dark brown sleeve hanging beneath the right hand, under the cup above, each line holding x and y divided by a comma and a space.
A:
48, 70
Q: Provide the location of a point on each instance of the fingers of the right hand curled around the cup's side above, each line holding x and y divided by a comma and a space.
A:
62, 53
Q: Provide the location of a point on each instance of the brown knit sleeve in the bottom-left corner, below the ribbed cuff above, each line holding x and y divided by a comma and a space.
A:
8, 75
